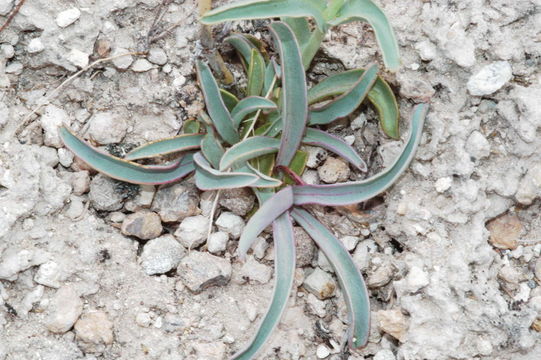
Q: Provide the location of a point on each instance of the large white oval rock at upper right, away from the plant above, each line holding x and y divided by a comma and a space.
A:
490, 78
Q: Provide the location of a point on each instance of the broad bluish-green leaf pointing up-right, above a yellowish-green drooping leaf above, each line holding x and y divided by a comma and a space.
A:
347, 102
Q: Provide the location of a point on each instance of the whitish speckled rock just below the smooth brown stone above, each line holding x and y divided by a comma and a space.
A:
161, 255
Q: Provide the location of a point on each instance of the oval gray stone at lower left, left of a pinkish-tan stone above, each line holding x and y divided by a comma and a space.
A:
64, 309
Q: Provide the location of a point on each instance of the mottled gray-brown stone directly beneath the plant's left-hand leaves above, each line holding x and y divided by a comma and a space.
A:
175, 203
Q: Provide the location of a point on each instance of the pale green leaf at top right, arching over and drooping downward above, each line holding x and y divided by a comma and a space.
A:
368, 11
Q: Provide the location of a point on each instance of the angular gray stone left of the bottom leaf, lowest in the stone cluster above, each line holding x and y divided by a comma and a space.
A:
200, 270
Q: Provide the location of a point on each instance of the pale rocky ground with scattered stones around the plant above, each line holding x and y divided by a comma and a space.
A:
93, 269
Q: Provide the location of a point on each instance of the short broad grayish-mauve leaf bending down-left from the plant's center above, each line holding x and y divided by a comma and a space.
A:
267, 213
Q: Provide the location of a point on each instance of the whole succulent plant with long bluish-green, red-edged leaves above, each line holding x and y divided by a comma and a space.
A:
256, 142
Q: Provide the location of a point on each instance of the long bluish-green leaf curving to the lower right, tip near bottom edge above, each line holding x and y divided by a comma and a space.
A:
348, 274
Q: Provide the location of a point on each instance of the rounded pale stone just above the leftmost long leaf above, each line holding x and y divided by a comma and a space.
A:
107, 128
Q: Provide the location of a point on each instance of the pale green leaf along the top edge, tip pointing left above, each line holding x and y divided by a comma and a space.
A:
266, 9
